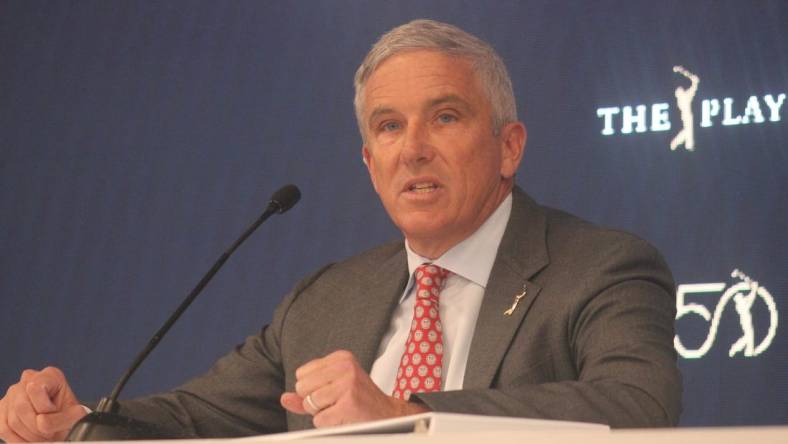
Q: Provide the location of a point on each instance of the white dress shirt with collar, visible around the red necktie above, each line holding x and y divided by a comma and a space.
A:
470, 262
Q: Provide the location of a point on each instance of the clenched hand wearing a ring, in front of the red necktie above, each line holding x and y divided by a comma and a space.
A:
342, 393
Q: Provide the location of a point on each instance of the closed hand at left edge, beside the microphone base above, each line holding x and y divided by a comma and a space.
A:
40, 407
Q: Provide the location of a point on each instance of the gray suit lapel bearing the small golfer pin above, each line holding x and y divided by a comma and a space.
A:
522, 253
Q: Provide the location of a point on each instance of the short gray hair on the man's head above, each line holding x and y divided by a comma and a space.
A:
431, 35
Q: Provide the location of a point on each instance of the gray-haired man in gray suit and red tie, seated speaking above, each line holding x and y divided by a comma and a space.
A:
492, 305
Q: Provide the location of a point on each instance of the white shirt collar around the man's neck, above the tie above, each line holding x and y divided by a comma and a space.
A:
473, 257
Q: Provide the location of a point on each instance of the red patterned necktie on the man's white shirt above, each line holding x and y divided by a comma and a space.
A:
421, 366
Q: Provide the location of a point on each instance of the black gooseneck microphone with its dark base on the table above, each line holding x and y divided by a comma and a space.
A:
105, 424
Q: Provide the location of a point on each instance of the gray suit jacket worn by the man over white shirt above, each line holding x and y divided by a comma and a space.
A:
591, 341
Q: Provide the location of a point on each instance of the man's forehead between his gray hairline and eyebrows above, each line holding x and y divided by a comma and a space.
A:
417, 76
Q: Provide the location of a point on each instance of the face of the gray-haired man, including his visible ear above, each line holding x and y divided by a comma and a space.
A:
430, 149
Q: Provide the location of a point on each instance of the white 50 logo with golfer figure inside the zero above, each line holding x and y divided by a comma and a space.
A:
744, 294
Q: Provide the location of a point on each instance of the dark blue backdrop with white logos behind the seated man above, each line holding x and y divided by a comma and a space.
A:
137, 140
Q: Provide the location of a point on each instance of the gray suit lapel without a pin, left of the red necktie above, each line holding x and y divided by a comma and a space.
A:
368, 309
